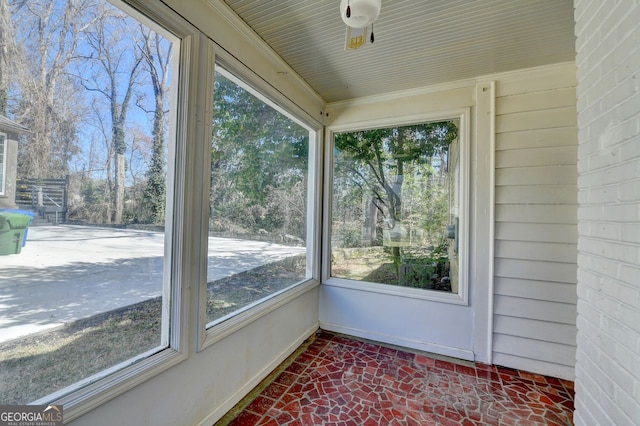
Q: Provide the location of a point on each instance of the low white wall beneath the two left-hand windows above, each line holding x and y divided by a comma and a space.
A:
204, 387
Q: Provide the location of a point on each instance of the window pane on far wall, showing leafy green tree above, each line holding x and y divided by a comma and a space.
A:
395, 206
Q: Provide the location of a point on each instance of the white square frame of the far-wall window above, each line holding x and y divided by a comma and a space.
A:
460, 298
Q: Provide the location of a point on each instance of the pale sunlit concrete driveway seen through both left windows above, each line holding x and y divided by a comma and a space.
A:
70, 272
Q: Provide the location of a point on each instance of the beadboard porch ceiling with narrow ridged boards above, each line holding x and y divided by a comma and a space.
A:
417, 42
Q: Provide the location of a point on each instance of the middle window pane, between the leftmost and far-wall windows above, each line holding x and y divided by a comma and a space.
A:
257, 228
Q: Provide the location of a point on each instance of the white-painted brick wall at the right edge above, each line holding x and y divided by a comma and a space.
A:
608, 71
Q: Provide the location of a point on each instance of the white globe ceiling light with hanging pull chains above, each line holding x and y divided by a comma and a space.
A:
358, 15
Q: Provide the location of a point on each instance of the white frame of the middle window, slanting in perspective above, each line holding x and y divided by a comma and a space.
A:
210, 333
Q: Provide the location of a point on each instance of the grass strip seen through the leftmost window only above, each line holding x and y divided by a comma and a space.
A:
34, 366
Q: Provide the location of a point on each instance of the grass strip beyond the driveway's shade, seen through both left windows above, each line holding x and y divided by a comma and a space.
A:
37, 365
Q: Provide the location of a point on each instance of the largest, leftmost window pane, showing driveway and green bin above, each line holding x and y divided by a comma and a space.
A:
81, 286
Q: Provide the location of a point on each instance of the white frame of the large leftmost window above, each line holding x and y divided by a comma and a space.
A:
96, 390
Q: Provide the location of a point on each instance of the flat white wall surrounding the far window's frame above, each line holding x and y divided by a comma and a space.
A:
397, 318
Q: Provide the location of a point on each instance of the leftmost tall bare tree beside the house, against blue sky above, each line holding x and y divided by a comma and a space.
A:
49, 38
